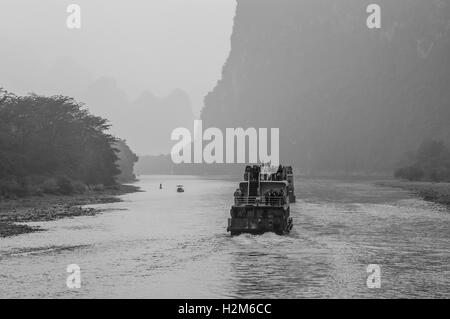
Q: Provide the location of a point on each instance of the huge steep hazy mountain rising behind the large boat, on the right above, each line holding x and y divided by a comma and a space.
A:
346, 98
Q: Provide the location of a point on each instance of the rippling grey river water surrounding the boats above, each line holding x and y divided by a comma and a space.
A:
163, 244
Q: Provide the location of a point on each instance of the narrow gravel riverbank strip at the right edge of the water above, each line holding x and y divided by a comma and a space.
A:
433, 192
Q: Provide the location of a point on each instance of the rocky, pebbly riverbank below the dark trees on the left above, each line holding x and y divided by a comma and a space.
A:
52, 207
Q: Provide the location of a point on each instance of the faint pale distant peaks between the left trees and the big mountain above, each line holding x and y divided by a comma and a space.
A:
147, 122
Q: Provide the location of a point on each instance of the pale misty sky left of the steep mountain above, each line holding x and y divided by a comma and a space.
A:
154, 45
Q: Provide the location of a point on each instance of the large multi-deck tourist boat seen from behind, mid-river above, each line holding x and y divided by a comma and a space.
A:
262, 201
